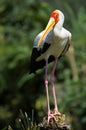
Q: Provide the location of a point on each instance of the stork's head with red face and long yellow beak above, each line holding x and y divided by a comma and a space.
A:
55, 17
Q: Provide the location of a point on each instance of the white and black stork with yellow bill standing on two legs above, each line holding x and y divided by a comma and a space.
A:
49, 45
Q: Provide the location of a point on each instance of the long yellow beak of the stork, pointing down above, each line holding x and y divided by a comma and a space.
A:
49, 26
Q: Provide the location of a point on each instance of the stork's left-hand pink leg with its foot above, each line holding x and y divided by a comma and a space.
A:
47, 93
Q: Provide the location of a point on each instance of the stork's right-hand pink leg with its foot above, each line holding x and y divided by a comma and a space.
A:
53, 88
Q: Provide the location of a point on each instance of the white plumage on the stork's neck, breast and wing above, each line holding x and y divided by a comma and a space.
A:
58, 37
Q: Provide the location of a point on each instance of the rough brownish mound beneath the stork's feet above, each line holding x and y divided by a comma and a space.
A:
59, 123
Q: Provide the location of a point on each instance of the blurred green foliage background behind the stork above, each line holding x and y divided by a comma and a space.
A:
20, 22
